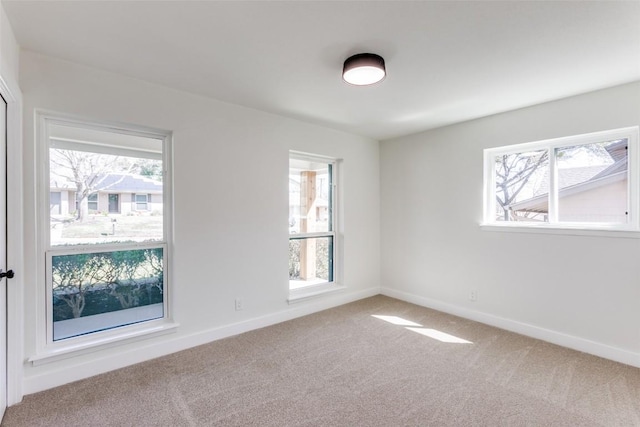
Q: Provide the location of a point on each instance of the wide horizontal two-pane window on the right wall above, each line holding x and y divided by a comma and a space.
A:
585, 181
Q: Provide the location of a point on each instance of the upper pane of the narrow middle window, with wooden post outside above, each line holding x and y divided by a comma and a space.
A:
310, 201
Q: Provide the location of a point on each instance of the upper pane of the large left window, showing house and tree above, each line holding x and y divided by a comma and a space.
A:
98, 188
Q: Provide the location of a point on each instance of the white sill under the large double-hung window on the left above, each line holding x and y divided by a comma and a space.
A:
110, 339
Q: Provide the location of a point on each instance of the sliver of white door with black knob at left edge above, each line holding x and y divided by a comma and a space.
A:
3, 256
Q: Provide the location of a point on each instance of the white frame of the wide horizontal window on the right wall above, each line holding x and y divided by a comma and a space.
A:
554, 225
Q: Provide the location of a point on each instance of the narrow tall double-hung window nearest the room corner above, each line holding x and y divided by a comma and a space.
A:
312, 221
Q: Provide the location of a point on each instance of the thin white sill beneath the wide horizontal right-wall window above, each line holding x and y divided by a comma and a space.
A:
563, 230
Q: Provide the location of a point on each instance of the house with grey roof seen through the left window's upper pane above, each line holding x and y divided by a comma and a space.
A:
115, 194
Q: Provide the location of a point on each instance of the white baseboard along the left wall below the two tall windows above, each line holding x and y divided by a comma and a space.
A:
147, 350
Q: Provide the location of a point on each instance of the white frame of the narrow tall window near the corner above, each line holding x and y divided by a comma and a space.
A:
334, 282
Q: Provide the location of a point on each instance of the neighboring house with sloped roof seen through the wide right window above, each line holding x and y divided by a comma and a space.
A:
593, 193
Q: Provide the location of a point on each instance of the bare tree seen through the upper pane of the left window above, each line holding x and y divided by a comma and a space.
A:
87, 171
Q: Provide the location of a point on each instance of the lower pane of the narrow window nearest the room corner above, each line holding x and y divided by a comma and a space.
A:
310, 261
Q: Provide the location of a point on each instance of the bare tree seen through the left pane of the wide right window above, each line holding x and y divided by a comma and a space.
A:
513, 172
